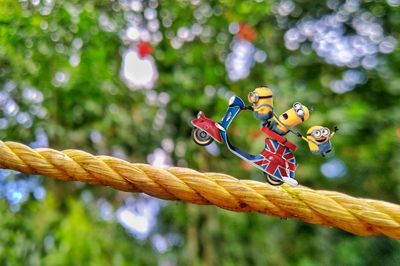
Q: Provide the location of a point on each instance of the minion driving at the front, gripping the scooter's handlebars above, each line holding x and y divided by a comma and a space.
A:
262, 103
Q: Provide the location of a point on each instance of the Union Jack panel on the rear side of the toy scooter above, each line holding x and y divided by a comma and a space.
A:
276, 159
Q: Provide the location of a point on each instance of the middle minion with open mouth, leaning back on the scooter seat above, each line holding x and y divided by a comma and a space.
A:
289, 119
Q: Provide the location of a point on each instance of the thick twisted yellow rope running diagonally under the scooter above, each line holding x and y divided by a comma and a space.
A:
356, 215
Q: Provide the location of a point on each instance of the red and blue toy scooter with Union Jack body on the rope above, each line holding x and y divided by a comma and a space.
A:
276, 160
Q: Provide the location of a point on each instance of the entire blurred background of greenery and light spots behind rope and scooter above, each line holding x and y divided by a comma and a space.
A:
124, 78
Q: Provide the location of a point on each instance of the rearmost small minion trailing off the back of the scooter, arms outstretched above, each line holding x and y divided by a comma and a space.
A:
318, 139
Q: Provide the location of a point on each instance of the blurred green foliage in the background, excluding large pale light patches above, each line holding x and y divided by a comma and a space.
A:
36, 45
